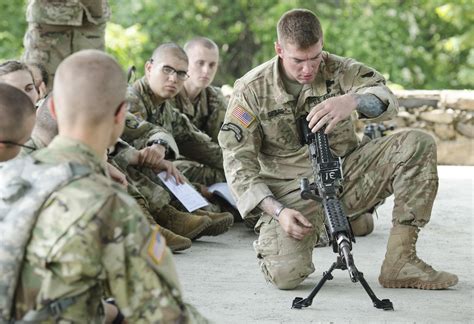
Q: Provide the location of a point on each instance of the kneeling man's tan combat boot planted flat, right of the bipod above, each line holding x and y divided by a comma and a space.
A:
403, 269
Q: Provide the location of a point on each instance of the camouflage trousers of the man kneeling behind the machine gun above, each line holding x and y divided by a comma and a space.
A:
403, 164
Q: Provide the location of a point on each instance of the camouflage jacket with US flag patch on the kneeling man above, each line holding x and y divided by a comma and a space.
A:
260, 139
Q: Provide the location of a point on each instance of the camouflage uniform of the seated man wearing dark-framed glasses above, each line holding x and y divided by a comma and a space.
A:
149, 121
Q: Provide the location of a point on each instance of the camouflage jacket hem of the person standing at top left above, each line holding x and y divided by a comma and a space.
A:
67, 12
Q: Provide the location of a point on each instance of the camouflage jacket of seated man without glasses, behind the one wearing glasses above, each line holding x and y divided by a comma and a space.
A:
207, 113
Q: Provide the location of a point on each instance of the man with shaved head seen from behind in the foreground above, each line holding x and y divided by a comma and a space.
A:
100, 244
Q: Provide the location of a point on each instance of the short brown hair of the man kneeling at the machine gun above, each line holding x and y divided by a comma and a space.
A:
299, 27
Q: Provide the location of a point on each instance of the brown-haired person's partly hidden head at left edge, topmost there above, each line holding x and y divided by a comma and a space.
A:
18, 75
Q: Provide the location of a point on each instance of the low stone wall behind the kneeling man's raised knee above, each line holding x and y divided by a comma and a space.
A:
447, 114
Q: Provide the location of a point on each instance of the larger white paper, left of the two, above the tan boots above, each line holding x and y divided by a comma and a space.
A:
185, 193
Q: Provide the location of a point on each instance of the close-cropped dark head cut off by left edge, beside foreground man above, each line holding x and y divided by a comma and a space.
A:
17, 118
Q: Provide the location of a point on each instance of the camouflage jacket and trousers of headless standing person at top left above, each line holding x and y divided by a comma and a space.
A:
57, 29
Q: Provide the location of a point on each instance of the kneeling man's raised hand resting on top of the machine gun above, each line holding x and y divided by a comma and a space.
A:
330, 112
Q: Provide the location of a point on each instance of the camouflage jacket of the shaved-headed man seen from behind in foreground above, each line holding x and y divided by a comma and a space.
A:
100, 245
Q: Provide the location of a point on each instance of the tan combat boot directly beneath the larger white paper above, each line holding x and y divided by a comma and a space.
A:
182, 223
